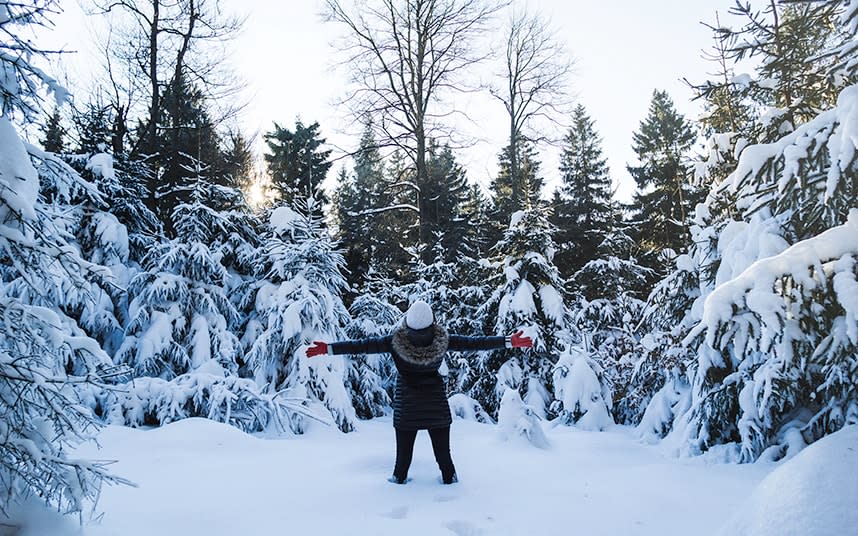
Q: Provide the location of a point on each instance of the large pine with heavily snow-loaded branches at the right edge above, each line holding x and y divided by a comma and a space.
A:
773, 329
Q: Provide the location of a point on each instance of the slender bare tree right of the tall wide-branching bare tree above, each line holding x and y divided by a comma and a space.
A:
536, 71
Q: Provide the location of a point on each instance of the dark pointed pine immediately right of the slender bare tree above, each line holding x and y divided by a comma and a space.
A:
583, 213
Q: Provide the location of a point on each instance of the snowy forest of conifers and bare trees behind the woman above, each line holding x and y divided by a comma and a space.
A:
140, 283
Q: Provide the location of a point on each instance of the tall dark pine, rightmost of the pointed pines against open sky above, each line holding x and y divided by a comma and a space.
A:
665, 198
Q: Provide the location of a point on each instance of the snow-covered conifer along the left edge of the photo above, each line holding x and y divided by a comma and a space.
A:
43, 414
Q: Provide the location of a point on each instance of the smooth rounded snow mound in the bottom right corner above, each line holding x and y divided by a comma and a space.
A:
814, 493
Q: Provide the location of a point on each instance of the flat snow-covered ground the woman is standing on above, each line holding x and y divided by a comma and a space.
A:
197, 477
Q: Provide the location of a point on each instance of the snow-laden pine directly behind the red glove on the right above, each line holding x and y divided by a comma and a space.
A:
528, 296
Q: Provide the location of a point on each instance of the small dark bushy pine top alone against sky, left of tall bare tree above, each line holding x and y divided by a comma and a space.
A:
296, 164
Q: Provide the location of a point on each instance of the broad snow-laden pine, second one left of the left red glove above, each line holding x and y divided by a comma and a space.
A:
179, 340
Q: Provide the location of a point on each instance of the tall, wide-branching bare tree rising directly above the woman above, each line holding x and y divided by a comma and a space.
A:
405, 56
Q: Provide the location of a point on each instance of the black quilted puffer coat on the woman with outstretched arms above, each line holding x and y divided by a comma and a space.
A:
420, 401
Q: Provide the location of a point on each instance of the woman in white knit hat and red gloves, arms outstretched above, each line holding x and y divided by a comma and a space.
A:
420, 401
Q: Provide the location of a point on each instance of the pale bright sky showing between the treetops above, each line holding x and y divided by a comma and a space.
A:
623, 50
